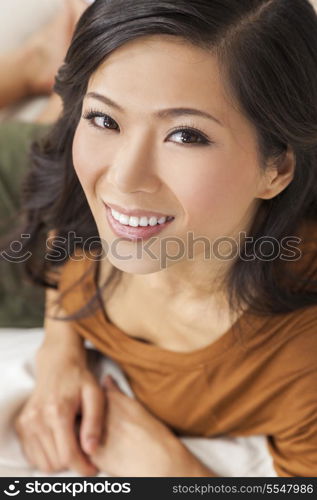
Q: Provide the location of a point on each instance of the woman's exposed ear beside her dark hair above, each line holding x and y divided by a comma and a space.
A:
278, 175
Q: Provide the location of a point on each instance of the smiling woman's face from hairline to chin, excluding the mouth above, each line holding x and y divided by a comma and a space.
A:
127, 154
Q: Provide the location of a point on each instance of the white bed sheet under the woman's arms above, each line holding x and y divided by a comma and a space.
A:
228, 457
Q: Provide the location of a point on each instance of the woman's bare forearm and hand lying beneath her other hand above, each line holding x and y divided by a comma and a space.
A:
136, 444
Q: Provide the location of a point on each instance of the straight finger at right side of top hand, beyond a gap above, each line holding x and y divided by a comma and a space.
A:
93, 415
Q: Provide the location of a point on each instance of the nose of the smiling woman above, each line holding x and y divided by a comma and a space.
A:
133, 166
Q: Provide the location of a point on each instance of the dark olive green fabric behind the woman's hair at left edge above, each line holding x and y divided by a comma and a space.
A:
21, 302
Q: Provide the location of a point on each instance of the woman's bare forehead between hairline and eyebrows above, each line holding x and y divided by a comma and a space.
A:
160, 67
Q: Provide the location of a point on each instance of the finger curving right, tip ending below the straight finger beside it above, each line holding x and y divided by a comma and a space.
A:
69, 449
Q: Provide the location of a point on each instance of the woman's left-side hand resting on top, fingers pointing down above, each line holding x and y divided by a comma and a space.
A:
46, 425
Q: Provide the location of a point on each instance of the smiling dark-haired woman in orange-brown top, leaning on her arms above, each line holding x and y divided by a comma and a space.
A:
182, 121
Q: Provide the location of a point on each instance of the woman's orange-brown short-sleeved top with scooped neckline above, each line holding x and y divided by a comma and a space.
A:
263, 382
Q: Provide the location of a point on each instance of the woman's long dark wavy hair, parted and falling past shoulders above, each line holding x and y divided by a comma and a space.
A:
267, 52
